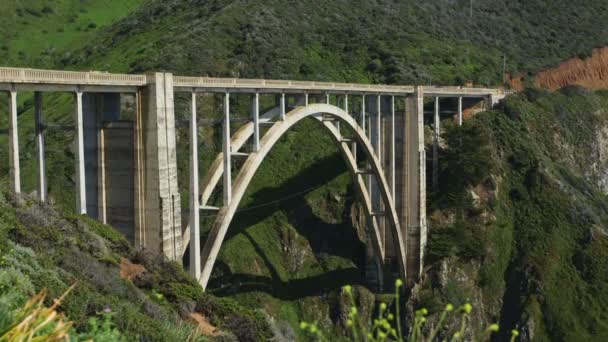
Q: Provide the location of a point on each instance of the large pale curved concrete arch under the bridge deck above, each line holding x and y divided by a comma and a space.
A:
322, 112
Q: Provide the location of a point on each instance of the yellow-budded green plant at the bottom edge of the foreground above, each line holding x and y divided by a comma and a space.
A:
387, 326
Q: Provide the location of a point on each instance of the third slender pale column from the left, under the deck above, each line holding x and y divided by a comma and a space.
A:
81, 195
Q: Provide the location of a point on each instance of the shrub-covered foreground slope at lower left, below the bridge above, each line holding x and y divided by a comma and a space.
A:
149, 299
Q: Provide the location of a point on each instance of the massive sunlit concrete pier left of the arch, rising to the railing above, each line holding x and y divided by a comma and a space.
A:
158, 202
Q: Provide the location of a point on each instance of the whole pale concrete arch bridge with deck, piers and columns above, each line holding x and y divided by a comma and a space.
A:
126, 172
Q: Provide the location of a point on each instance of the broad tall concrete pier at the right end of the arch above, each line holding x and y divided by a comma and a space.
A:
414, 211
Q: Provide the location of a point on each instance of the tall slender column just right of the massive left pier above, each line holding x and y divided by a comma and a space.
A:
195, 237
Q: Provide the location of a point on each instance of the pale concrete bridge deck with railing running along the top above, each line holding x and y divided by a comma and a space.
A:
56, 80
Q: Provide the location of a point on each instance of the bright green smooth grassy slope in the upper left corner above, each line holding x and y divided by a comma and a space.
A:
35, 33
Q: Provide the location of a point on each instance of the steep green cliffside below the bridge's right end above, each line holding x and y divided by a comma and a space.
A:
539, 251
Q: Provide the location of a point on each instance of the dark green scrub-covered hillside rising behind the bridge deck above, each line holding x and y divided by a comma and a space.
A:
387, 41
